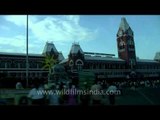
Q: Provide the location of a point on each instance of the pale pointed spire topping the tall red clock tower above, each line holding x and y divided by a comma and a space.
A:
124, 28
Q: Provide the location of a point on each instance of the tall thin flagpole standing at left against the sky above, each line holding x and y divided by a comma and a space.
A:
27, 53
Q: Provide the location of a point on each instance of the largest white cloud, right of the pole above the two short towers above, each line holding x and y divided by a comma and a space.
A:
61, 29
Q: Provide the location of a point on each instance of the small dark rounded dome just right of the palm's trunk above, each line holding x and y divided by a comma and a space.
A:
57, 69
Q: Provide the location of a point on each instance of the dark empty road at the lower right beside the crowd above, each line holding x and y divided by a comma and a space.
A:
140, 96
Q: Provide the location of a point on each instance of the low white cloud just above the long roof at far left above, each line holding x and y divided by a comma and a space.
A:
17, 44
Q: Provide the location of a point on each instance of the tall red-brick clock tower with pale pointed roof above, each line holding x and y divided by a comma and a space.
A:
125, 44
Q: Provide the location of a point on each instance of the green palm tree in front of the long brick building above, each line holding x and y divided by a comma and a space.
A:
49, 62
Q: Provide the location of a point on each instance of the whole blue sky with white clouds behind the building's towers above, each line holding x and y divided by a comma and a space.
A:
94, 33
